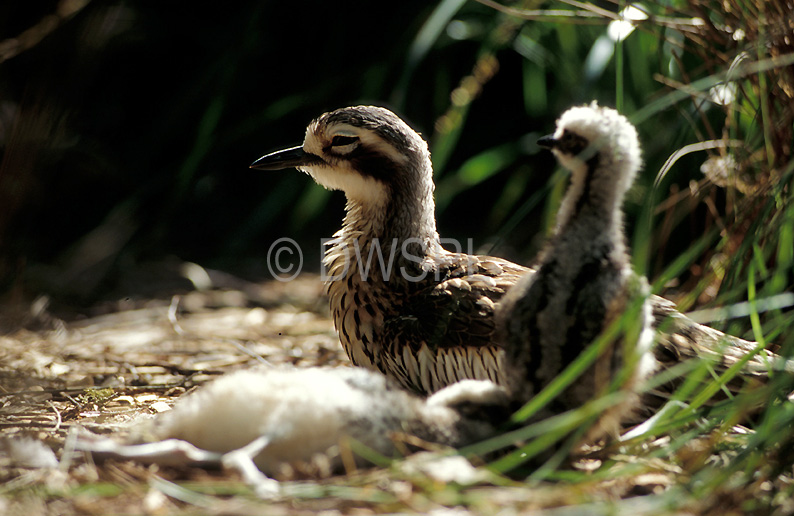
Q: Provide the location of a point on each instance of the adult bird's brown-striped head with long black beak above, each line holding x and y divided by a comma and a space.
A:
366, 151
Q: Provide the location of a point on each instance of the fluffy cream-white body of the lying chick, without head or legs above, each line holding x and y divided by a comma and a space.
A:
303, 411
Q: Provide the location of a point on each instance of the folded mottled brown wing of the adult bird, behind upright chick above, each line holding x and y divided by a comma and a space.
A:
444, 331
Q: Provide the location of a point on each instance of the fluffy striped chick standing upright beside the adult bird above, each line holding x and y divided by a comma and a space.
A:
584, 280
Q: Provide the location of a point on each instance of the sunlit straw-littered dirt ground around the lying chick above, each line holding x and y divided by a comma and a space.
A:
133, 358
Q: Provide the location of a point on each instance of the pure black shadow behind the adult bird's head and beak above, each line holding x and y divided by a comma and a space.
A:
127, 128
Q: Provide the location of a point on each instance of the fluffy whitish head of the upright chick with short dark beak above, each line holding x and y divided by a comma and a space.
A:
596, 143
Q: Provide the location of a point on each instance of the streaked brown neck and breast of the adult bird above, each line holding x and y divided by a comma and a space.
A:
371, 262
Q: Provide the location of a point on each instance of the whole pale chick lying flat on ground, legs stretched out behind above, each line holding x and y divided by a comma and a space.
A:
284, 421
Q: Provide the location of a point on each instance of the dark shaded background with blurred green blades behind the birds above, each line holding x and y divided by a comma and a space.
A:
127, 129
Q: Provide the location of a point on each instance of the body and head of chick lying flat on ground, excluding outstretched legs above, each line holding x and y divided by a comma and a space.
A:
309, 411
